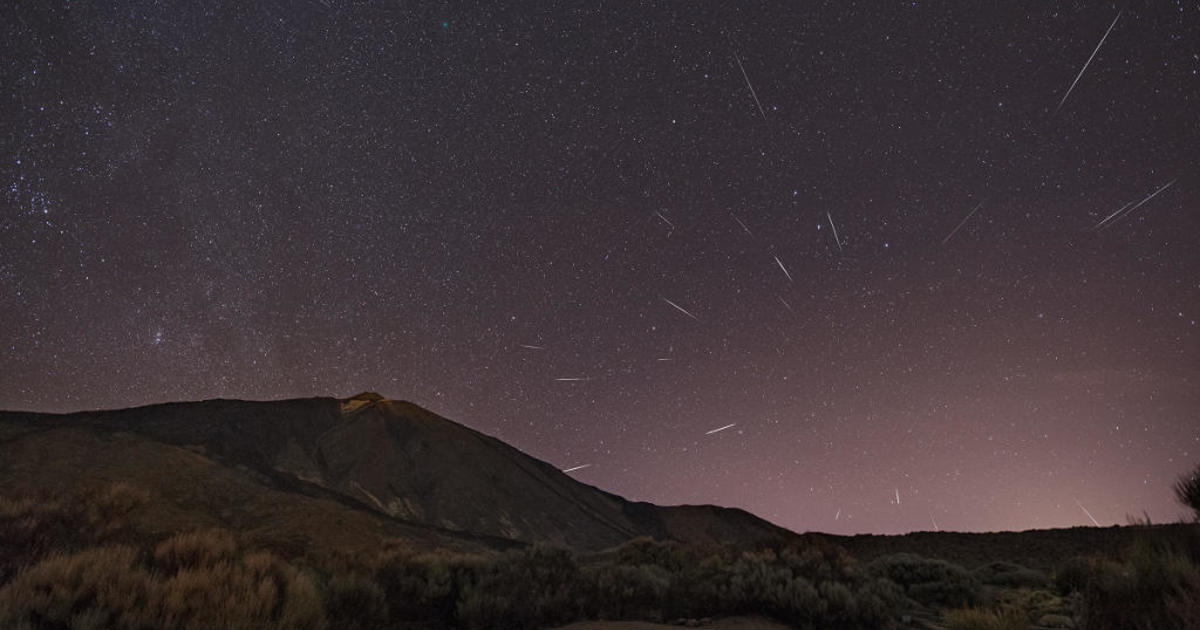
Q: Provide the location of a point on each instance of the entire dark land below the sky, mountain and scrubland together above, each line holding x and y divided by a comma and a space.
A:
369, 513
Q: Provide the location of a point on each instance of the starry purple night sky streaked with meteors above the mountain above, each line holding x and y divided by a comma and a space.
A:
599, 232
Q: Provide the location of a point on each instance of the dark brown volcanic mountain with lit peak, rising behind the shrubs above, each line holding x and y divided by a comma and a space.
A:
356, 471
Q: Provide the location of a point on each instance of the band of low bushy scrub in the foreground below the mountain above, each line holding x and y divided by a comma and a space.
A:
71, 562
